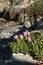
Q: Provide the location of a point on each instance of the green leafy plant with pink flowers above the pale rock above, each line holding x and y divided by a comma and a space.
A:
28, 43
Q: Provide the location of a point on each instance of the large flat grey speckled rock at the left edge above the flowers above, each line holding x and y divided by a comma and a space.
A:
9, 31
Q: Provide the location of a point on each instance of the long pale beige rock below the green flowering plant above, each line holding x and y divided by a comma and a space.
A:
22, 57
